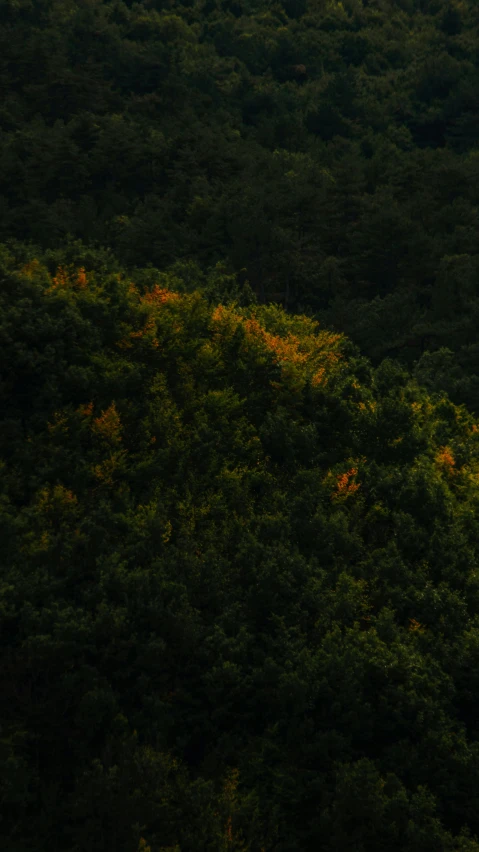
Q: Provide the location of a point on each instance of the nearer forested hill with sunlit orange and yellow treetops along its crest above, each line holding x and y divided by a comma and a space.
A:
239, 579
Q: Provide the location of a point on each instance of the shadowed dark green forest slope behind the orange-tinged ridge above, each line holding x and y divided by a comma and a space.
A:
327, 152
